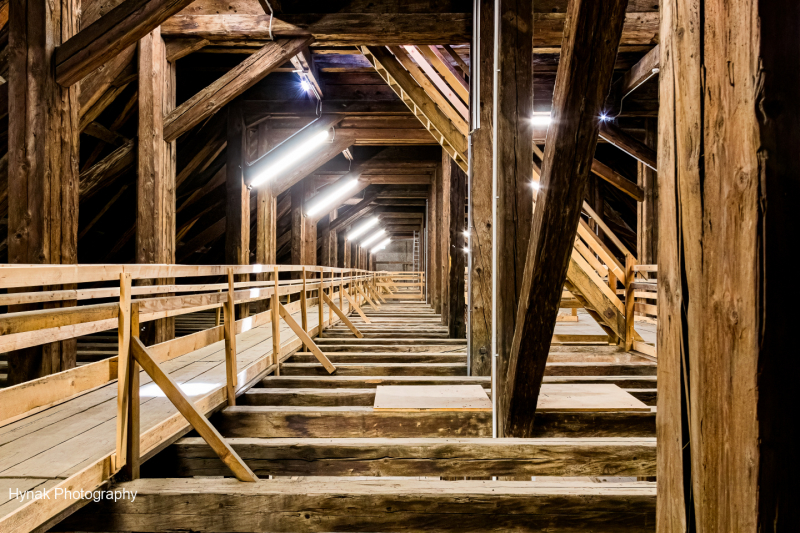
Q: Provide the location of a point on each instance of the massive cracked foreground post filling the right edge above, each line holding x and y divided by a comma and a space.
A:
728, 167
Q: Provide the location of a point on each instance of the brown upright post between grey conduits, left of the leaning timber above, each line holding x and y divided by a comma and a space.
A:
480, 198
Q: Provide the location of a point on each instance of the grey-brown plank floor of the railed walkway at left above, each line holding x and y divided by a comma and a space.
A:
74, 440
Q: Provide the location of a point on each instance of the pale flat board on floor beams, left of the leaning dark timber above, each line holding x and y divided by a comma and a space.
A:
432, 398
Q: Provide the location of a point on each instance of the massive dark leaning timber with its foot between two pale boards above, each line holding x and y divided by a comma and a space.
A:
584, 76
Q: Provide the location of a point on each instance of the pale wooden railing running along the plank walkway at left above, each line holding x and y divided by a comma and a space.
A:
31, 328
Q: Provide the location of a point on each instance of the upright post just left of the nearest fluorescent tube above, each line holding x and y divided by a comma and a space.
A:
237, 212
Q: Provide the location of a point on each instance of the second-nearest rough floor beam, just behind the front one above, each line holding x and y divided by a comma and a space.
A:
417, 457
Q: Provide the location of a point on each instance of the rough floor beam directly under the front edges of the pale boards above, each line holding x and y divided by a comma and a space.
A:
338, 422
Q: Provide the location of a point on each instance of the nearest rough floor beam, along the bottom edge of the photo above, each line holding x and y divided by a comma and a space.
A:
338, 504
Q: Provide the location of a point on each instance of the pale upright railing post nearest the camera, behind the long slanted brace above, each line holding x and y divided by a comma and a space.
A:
124, 364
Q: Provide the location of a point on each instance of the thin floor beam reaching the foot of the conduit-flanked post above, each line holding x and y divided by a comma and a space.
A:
377, 369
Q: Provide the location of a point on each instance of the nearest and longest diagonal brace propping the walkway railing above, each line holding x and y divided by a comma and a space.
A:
186, 407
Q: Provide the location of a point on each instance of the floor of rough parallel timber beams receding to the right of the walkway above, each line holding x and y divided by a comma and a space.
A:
338, 465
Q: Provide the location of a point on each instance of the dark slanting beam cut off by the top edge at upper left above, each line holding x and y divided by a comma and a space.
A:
110, 35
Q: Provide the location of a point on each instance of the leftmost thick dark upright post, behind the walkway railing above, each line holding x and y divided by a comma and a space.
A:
43, 155
